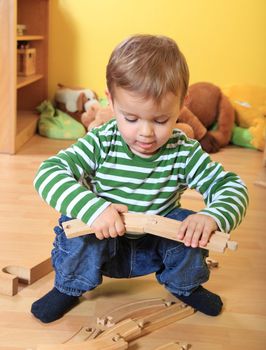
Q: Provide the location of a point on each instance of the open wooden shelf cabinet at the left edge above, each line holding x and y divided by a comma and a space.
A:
19, 96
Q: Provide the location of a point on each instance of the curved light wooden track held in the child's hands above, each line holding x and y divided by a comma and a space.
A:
152, 224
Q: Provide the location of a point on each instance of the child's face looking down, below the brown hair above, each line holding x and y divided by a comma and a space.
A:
144, 125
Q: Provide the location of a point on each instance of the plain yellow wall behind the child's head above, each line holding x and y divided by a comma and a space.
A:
223, 40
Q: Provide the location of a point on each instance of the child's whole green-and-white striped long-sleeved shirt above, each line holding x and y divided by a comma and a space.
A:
99, 169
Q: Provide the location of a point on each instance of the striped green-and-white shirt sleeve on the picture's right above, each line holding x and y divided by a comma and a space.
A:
224, 193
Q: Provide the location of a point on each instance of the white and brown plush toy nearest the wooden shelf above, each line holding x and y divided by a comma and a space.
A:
74, 101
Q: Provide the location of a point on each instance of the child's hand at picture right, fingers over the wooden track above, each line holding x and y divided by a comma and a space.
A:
196, 230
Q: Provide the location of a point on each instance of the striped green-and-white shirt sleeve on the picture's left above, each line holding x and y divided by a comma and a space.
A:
61, 181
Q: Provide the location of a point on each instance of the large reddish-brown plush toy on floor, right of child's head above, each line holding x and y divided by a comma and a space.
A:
212, 113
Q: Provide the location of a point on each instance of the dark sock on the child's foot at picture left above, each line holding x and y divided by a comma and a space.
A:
53, 305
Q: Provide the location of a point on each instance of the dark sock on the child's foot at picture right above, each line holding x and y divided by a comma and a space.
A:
204, 301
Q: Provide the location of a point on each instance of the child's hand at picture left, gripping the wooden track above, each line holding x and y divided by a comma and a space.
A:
109, 223
